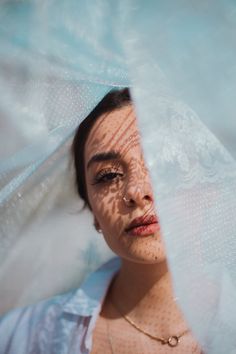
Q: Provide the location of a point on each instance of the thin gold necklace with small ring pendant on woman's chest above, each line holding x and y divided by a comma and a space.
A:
171, 341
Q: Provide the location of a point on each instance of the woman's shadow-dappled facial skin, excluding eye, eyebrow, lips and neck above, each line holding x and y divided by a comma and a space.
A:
119, 132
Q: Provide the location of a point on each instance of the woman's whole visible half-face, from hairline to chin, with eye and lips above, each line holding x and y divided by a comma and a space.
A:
119, 188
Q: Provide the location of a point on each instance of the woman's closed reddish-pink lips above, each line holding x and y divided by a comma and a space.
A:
143, 226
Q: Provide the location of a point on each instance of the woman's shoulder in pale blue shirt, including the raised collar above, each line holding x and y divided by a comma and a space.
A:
48, 326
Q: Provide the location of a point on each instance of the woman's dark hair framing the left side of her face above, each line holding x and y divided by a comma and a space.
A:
115, 99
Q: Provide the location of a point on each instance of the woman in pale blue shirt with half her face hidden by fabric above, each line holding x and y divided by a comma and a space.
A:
126, 306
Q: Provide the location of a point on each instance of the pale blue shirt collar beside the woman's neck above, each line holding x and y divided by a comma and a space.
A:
89, 297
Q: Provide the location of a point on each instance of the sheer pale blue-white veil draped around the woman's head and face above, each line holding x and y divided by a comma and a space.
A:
57, 60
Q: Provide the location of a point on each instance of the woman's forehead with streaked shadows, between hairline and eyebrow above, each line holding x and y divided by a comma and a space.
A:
115, 130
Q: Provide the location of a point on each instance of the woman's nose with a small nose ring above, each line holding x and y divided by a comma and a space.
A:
138, 192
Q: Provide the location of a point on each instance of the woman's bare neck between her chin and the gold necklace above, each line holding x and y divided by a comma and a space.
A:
140, 290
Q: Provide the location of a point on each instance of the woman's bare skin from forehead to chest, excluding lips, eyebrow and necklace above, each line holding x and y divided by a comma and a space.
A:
142, 289
